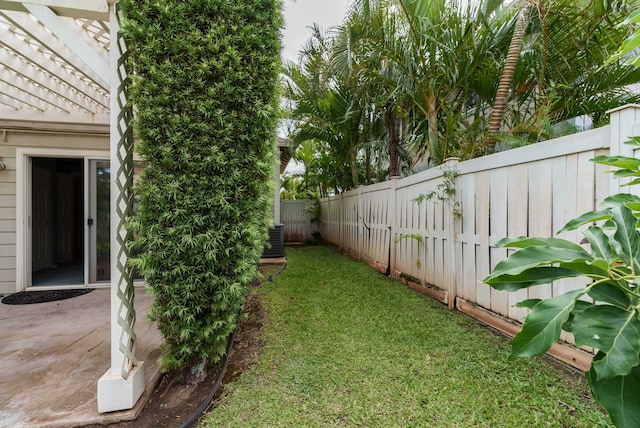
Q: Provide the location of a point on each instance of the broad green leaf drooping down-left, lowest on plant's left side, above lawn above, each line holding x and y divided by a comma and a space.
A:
542, 326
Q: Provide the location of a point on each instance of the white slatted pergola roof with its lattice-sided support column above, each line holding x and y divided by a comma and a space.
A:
61, 62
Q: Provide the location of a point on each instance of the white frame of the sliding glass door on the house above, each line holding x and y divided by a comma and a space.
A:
23, 207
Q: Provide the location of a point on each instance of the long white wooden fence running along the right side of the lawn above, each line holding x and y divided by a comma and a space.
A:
529, 191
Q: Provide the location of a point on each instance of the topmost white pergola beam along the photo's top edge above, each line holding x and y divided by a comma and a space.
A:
88, 9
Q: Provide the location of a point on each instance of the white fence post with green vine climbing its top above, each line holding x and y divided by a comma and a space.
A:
452, 225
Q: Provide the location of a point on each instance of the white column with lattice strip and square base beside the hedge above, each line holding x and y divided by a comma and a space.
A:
123, 384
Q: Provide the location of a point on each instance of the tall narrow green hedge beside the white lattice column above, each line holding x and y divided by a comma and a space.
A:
204, 91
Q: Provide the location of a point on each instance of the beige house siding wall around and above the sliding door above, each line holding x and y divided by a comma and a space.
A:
40, 139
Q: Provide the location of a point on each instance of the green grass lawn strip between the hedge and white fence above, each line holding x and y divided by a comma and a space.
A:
346, 346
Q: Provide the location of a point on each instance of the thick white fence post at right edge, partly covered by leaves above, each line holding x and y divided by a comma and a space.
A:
625, 123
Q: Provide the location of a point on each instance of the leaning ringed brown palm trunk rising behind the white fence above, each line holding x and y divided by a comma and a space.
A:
506, 78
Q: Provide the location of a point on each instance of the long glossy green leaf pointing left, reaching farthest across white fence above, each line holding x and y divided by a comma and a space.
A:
531, 257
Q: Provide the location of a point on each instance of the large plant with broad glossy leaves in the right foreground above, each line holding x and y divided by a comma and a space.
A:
605, 314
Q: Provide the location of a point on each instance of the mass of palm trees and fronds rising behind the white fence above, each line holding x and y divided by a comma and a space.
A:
411, 82
